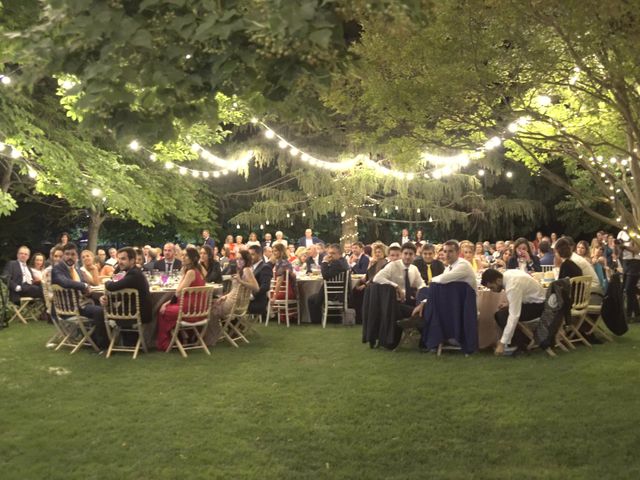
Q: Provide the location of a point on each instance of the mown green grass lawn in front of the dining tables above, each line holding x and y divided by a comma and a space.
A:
313, 403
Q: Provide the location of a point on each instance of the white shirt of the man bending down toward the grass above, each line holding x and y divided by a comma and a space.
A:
520, 288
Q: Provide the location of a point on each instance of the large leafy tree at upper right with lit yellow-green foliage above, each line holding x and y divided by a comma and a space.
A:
552, 81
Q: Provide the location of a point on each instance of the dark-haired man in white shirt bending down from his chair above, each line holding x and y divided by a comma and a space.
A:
526, 301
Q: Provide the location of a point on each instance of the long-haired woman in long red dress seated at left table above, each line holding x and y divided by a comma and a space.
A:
168, 315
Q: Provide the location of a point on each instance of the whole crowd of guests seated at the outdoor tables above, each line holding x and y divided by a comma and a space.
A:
407, 265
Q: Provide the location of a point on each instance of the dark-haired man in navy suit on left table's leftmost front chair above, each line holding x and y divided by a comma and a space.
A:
67, 275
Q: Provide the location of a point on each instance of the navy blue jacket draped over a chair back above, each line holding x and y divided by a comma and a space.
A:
451, 312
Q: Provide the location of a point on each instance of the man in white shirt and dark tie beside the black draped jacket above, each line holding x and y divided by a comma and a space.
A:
404, 276
